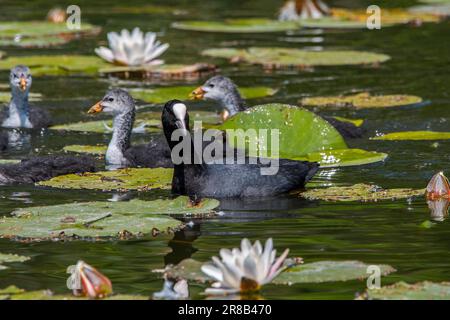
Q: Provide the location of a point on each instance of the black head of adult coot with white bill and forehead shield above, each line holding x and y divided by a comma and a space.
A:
175, 117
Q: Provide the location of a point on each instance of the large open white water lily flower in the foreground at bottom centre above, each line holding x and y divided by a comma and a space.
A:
245, 269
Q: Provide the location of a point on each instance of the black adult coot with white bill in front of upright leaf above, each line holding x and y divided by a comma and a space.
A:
228, 180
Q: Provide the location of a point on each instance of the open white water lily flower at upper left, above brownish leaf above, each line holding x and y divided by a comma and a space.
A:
133, 49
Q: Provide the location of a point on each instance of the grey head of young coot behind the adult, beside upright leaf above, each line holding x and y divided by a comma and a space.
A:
215, 88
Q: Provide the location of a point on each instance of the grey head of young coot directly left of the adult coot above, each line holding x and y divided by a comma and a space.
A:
115, 101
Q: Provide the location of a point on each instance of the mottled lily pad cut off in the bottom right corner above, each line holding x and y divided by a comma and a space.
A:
403, 291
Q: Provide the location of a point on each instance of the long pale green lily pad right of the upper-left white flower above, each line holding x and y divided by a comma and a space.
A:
289, 57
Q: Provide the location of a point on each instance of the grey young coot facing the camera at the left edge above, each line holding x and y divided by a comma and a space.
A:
19, 114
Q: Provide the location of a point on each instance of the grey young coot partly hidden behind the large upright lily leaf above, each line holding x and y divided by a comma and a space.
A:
224, 91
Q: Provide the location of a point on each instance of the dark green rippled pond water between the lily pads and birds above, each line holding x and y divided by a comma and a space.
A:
385, 233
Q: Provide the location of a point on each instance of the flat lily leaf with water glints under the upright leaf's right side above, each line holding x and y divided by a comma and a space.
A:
343, 157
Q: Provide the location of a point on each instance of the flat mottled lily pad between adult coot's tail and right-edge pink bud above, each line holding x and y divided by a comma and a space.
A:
361, 192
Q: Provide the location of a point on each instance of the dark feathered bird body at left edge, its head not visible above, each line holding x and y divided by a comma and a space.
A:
43, 168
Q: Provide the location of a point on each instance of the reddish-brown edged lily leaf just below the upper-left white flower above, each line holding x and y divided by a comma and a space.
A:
164, 71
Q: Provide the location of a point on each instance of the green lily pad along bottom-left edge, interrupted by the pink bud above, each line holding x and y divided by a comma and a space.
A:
14, 293
